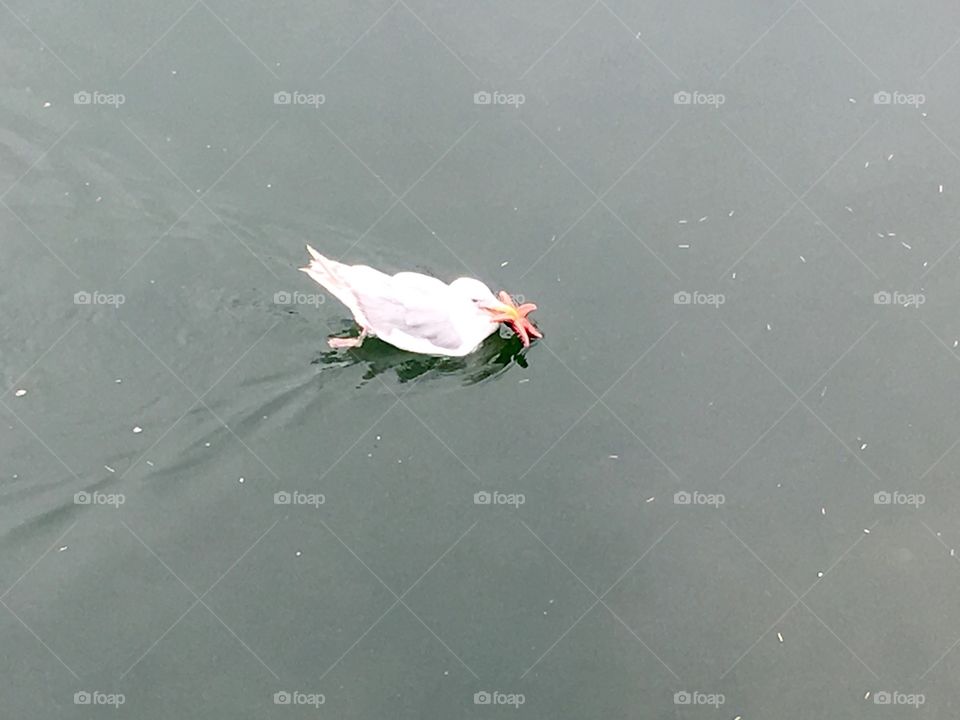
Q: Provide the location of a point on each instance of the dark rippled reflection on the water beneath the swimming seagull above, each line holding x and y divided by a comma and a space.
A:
493, 358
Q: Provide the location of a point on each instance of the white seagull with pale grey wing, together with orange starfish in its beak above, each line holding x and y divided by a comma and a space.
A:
417, 312
